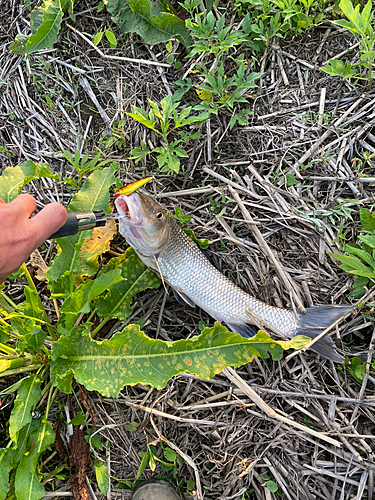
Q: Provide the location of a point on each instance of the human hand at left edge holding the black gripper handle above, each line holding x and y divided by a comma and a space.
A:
20, 235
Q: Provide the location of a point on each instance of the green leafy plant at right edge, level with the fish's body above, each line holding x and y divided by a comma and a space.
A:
360, 260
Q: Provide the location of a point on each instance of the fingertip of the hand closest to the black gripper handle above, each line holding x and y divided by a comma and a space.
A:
47, 222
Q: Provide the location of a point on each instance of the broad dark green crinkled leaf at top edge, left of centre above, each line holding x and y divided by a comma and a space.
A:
154, 21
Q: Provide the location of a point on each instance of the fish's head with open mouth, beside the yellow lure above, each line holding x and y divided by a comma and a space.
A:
145, 225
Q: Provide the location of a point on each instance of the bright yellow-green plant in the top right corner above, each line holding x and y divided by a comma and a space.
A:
359, 24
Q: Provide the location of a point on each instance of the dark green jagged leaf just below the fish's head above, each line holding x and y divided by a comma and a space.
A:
136, 278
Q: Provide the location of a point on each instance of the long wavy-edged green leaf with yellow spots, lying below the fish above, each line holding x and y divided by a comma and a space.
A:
130, 357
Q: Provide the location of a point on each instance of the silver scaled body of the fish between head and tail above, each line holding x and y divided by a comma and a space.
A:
186, 268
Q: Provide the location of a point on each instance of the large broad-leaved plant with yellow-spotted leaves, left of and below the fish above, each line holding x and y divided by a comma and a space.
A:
48, 353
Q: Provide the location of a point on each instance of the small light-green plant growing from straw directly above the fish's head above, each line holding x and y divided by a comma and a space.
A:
163, 120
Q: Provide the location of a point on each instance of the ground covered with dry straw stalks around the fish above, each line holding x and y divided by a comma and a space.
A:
303, 422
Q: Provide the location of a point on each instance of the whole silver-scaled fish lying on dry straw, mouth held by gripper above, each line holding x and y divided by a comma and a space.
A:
162, 245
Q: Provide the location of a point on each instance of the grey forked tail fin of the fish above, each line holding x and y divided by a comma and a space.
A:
314, 321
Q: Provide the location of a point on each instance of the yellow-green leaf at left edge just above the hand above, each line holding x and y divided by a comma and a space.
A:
13, 179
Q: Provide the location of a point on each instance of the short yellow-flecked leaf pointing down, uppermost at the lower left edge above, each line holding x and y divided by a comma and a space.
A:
28, 395
